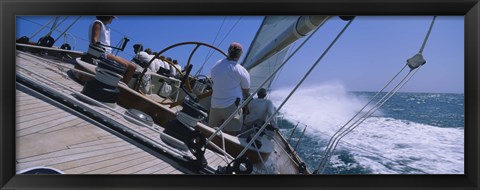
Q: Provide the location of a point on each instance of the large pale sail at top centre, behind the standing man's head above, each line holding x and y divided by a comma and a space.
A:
270, 46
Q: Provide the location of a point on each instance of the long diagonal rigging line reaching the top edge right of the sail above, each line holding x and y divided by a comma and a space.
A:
297, 86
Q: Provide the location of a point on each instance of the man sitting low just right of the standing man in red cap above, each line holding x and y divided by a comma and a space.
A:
260, 110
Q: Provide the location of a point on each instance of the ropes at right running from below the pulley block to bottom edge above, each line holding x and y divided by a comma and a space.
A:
327, 155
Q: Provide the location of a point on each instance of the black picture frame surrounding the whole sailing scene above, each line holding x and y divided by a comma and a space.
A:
469, 8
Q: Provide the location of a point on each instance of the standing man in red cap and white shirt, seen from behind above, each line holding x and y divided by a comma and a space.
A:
231, 83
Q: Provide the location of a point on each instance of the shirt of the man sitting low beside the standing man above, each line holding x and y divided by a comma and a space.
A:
260, 110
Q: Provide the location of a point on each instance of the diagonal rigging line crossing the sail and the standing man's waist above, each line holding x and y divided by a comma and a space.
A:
255, 91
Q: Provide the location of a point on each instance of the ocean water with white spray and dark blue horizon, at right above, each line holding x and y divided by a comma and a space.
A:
412, 133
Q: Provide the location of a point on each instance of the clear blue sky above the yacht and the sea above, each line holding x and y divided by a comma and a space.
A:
371, 51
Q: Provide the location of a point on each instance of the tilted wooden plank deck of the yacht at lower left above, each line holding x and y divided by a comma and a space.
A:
49, 135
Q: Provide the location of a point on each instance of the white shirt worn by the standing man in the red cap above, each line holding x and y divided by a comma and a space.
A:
229, 78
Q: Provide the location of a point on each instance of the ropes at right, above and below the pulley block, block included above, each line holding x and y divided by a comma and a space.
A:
414, 63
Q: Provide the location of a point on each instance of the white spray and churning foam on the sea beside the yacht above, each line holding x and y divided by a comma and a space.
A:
382, 144
